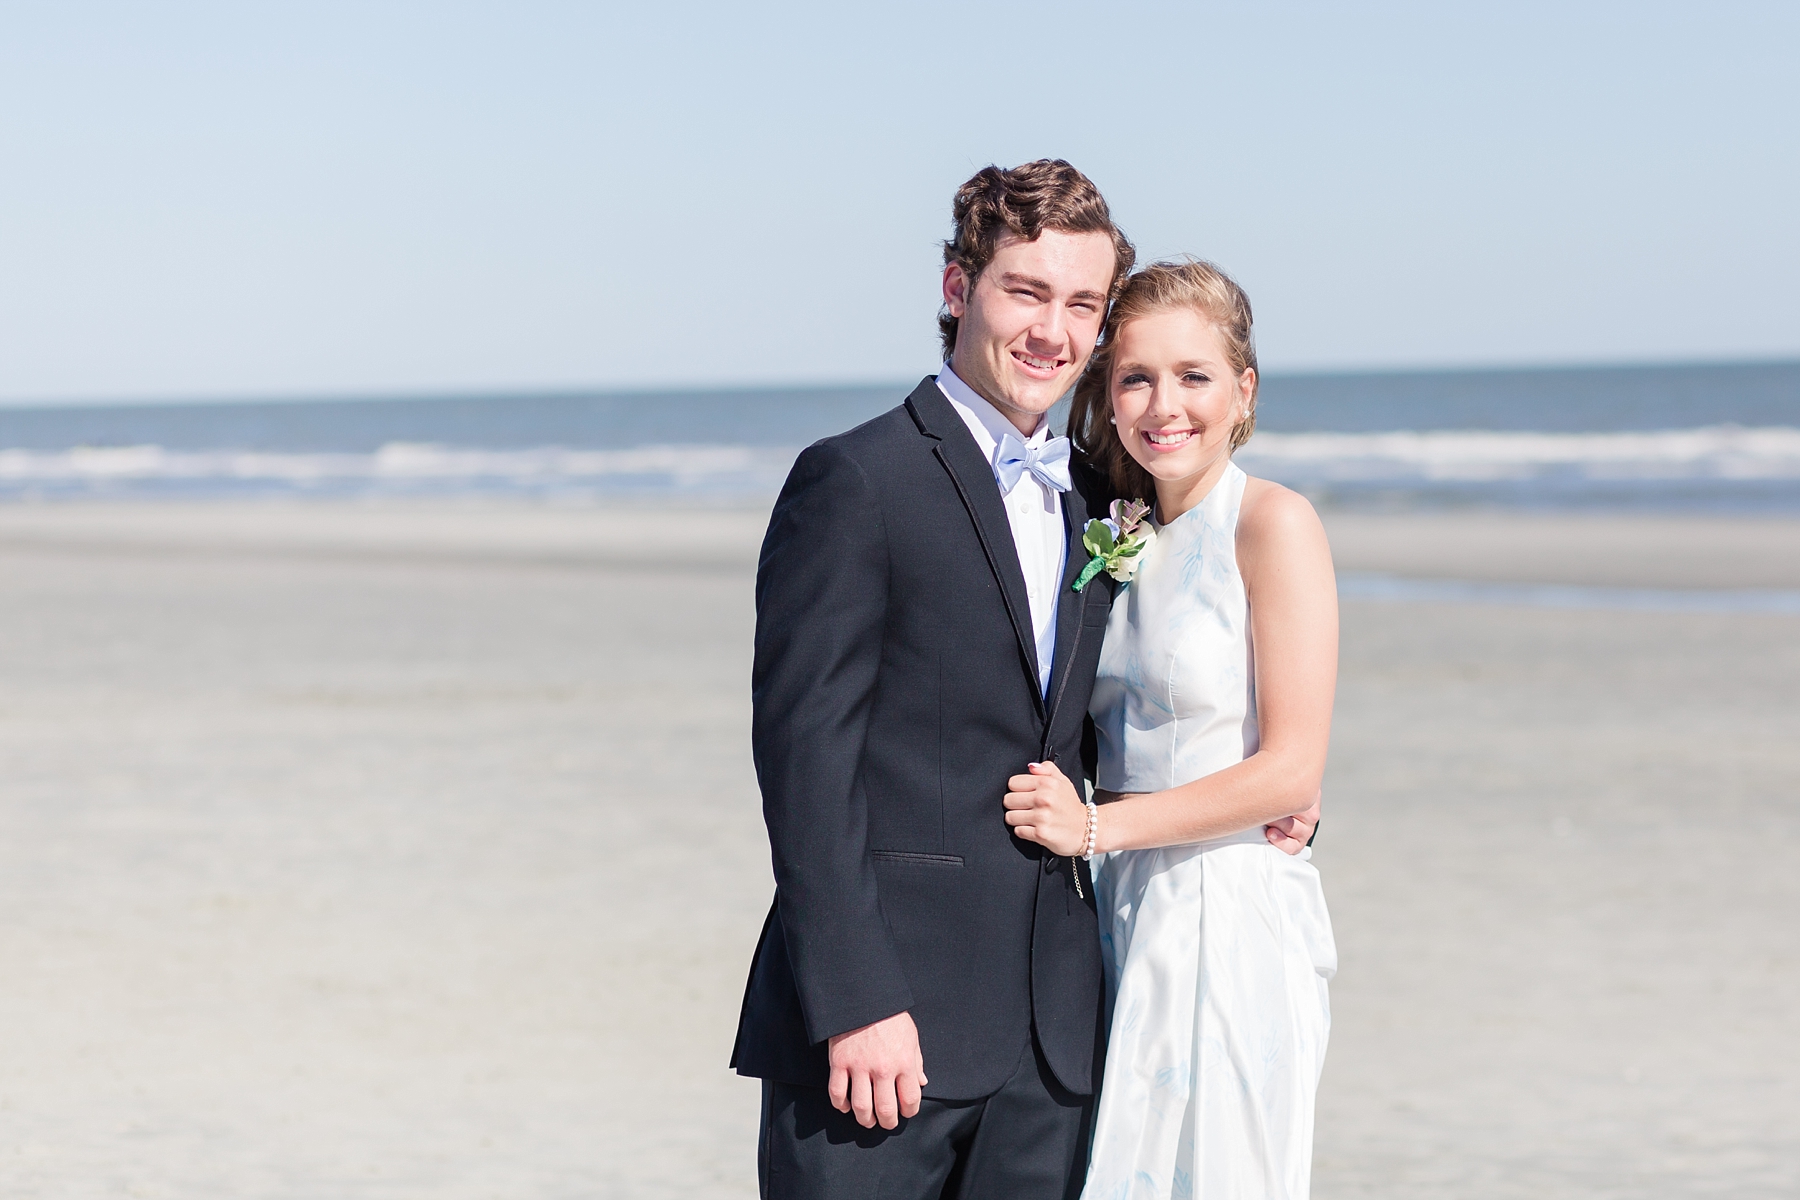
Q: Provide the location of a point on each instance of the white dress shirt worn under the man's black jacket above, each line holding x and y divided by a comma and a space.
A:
1032, 510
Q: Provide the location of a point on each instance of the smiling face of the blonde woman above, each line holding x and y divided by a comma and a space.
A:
1176, 399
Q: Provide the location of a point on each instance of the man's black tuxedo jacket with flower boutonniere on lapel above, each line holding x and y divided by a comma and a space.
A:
895, 690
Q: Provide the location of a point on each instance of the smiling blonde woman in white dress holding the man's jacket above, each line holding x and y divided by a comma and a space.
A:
1214, 713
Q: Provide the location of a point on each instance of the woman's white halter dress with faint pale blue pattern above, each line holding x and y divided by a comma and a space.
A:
1216, 953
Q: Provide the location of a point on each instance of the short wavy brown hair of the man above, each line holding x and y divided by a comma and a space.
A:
1025, 202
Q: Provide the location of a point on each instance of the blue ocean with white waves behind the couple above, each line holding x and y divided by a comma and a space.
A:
1669, 438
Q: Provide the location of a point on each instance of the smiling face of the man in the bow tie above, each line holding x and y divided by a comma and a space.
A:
1030, 323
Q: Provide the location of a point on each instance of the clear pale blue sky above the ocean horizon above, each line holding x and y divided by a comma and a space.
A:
208, 201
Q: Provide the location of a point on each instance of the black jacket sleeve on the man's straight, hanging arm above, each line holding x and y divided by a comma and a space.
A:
822, 604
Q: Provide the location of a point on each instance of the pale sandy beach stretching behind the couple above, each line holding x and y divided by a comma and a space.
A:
391, 852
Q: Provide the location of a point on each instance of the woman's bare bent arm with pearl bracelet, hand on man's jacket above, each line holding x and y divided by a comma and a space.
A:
1293, 613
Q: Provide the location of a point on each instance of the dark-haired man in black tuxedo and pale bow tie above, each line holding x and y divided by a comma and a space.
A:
926, 999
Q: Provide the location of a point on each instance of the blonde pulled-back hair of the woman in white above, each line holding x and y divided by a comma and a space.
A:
1158, 289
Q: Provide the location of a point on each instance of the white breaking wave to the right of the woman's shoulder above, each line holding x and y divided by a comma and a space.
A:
1718, 452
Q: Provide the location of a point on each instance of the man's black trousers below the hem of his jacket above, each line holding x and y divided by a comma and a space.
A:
1027, 1142
